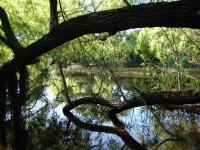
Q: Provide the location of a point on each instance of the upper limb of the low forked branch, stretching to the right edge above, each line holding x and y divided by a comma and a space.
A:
179, 98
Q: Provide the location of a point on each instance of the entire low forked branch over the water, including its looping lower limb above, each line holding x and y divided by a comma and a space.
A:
184, 97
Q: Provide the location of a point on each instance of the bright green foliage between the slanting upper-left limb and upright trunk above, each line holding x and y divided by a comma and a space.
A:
28, 19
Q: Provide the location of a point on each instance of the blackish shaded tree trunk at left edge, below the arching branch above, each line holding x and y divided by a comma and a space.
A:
12, 91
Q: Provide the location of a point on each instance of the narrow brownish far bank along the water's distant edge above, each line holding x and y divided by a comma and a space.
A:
123, 72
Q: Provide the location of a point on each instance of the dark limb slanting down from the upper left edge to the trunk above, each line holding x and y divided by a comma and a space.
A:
11, 41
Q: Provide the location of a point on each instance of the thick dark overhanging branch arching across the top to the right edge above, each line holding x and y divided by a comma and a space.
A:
165, 14
